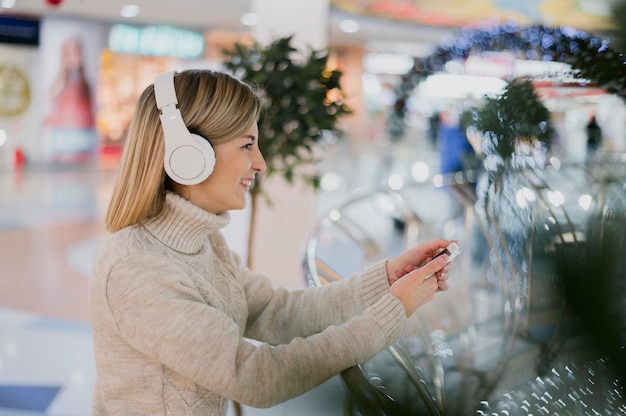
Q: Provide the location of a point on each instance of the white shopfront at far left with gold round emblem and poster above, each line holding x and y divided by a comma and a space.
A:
48, 89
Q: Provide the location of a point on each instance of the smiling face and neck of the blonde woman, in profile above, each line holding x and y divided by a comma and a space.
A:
236, 164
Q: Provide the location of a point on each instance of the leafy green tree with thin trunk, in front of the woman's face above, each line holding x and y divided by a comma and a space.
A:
302, 102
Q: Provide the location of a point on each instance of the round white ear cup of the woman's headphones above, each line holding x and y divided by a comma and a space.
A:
191, 161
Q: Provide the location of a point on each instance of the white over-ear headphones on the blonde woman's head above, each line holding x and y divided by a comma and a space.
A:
189, 158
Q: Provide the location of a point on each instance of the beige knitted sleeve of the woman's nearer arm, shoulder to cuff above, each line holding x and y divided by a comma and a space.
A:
161, 315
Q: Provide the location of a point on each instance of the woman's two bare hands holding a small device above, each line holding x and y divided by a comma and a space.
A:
408, 274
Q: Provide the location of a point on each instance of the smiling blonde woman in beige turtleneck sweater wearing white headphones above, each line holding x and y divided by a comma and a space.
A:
172, 307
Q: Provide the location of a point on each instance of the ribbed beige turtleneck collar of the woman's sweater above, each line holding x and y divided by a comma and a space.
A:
184, 226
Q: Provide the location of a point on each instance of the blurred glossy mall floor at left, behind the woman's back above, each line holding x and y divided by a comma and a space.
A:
49, 221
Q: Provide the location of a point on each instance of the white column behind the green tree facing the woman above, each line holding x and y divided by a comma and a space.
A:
282, 228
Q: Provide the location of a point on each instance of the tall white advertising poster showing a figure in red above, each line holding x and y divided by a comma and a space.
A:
70, 62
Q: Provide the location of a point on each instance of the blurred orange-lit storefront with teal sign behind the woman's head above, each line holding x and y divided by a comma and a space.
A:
134, 56
